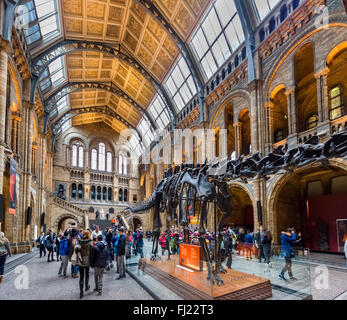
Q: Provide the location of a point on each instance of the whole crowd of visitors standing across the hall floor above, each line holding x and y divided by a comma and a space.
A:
93, 248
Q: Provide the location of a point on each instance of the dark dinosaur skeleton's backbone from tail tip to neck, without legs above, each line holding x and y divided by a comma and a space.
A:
245, 168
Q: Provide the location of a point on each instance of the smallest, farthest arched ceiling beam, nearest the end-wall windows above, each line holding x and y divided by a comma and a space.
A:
104, 110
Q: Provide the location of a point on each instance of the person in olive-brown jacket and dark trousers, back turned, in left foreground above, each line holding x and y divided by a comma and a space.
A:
83, 249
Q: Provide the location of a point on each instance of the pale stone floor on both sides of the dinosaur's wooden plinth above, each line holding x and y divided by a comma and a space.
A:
44, 283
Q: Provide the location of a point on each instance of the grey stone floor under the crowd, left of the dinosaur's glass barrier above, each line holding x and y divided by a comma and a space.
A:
44, 284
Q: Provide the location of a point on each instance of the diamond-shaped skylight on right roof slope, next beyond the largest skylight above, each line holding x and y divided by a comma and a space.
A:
180, 84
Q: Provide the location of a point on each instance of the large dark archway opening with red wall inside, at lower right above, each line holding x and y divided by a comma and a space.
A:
314, 202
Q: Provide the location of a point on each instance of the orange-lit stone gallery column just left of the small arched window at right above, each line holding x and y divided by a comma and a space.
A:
323, 94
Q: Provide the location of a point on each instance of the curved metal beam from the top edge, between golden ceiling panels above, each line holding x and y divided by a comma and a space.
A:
186, 53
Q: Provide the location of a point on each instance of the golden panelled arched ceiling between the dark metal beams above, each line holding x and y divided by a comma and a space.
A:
128, 24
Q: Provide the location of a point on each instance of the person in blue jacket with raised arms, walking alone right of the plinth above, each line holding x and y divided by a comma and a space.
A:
288, 240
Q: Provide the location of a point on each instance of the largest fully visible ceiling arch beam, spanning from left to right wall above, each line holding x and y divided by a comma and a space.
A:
64, 47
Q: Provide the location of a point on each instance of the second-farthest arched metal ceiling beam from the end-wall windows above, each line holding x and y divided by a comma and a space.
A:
70, 87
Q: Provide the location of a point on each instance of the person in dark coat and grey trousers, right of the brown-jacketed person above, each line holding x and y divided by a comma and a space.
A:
99, 263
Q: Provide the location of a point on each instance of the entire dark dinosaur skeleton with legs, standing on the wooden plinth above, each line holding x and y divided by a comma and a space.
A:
209, 183
